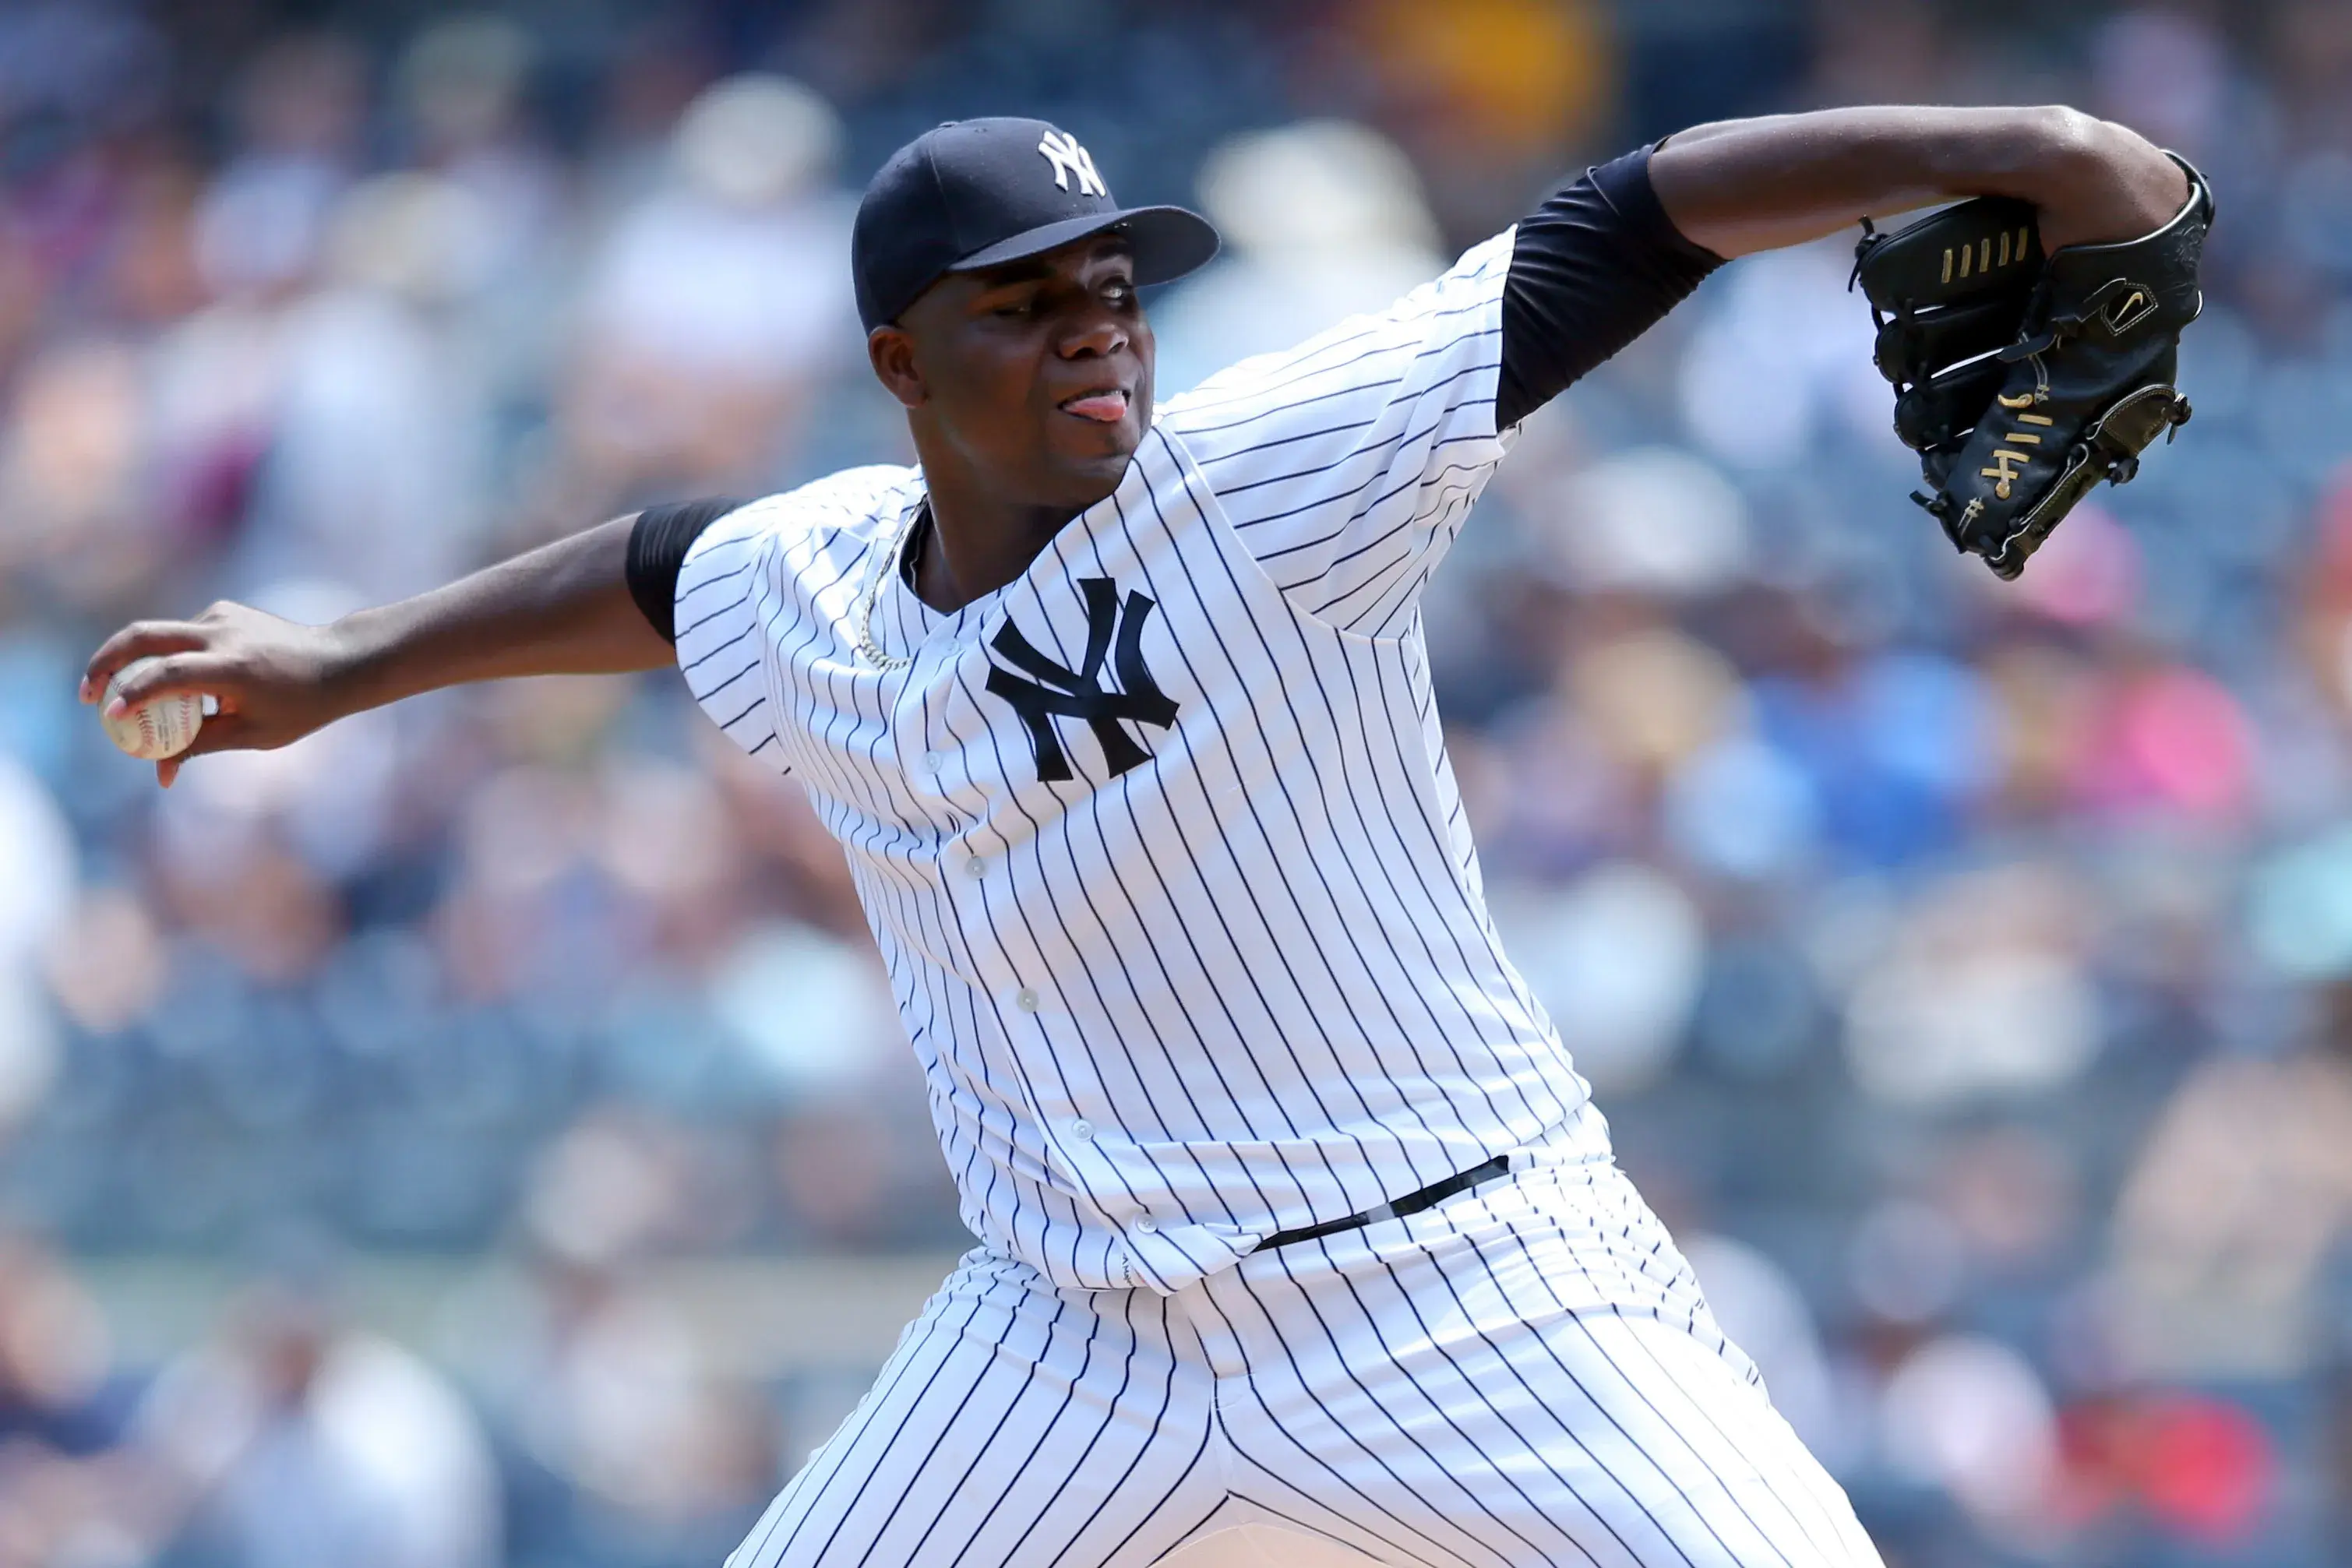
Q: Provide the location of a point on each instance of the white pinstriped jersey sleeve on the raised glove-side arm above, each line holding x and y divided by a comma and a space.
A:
1349, 462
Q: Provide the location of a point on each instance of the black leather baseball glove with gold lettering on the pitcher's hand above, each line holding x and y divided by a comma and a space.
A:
2022, 382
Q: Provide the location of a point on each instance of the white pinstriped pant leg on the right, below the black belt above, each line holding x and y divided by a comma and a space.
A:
1521, 1376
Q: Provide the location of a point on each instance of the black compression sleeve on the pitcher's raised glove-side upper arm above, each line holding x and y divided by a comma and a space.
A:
1591, 272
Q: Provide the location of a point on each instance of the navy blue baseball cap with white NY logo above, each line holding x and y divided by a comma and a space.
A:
977, 194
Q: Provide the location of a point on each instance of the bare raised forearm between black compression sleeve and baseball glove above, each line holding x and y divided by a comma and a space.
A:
1742, 187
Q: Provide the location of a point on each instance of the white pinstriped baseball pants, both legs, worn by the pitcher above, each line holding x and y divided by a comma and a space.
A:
1518, 1376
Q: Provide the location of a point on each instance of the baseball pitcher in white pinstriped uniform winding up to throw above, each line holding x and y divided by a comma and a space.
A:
1295, 1219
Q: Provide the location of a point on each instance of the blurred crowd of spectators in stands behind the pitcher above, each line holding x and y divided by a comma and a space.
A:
481, 1137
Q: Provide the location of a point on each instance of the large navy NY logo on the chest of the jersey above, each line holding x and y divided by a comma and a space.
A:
1055, 692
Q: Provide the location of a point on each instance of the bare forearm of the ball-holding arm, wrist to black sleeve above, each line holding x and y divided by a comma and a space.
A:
559, 610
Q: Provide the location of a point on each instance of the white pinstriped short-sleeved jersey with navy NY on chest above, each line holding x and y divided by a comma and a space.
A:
1161, 840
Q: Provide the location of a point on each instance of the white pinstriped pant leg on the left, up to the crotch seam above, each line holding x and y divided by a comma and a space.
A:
1015, 1426
